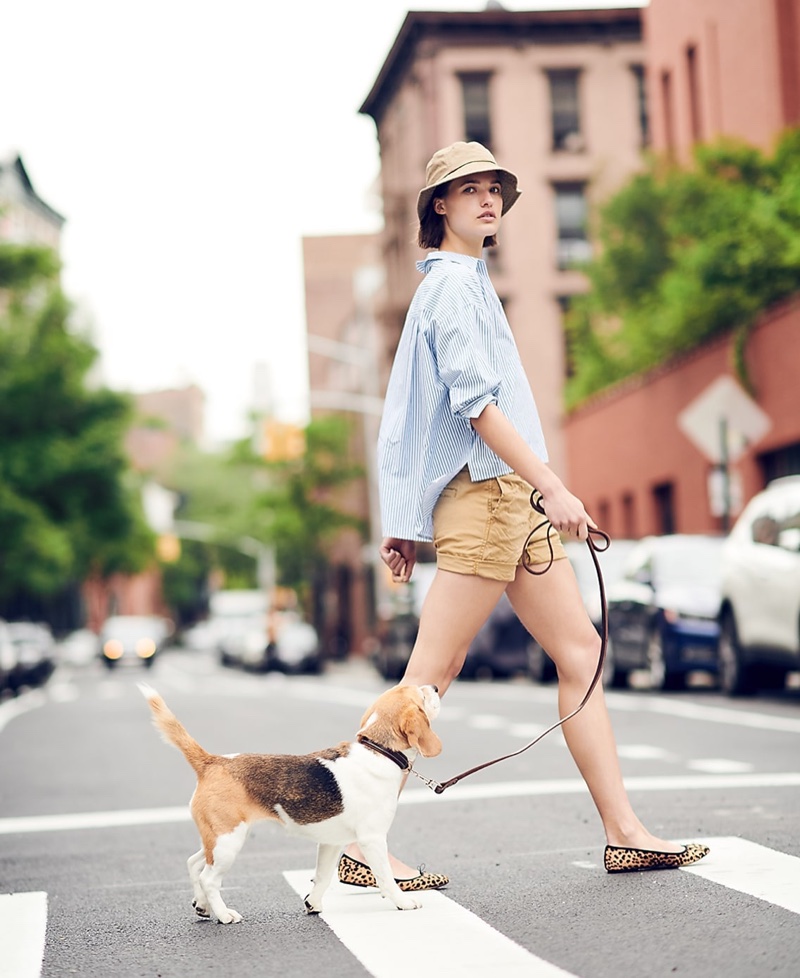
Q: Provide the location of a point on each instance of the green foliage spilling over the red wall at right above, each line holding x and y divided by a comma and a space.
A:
687, 254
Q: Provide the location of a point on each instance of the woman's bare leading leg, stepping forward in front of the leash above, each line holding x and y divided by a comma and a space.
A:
551, 608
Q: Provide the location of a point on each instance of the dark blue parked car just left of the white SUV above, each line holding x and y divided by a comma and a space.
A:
663, 612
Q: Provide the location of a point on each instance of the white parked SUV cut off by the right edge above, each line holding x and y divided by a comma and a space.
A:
760, 608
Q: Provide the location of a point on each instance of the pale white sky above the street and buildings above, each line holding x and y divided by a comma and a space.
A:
191, 145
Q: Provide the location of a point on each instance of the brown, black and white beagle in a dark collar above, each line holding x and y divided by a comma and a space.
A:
336, 796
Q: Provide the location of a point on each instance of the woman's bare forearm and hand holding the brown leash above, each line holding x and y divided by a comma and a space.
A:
565, 511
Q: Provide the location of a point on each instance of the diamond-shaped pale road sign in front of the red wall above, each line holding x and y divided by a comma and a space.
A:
723, 421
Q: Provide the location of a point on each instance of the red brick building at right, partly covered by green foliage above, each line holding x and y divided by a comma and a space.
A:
627, 456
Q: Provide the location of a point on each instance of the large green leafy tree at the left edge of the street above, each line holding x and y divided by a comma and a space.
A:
68, 505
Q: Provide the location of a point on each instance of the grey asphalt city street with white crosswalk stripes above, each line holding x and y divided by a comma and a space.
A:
95, 833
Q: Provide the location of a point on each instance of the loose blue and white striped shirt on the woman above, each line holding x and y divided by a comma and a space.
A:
456, 355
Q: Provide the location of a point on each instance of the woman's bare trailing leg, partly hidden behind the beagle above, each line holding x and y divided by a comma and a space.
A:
455, 608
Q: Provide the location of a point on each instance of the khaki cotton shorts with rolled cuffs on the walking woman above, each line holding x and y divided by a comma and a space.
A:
480, 528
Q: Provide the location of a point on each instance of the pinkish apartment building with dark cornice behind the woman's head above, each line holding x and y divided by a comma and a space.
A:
559, 97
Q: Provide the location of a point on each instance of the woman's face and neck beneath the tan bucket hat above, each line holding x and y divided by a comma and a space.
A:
471, 208
